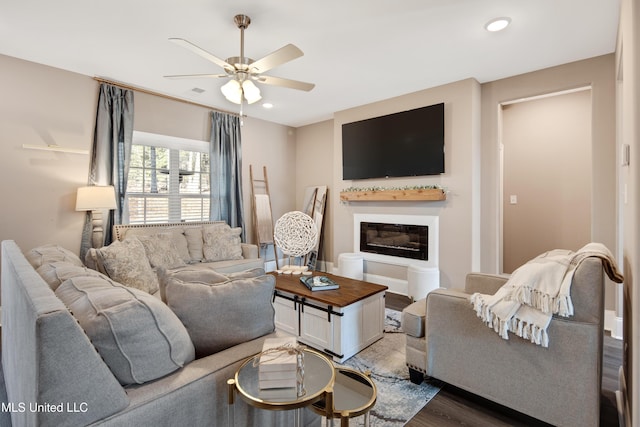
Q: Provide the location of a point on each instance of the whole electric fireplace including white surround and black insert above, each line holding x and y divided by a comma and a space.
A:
397, 239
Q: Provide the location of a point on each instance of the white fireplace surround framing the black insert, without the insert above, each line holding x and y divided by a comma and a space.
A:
433, 238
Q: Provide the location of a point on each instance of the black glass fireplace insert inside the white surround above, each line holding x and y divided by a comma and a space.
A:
402, 240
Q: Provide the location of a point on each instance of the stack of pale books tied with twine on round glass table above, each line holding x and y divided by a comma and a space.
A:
278, 369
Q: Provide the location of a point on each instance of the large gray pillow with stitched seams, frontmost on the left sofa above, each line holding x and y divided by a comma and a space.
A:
137, 335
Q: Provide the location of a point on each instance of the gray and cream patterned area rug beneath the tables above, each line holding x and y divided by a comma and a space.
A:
399, 399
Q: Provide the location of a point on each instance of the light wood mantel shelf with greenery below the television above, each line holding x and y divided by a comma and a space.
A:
406, 193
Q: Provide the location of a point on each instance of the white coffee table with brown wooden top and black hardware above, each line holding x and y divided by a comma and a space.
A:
339, 322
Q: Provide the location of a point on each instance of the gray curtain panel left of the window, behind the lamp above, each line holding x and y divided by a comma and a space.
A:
110, 154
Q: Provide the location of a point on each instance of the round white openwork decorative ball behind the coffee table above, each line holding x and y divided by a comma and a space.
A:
295, 233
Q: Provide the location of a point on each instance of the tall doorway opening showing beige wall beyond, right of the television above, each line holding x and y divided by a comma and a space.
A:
546, 175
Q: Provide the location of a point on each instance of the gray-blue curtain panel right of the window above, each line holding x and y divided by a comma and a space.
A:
226, 170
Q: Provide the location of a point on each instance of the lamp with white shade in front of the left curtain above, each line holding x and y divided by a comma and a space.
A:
96, 199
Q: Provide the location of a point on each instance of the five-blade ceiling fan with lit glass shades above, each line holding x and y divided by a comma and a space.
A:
243, 71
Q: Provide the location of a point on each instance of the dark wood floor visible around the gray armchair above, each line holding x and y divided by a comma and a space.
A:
455, 407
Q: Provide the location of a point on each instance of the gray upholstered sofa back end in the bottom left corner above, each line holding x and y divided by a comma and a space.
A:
46, 356
